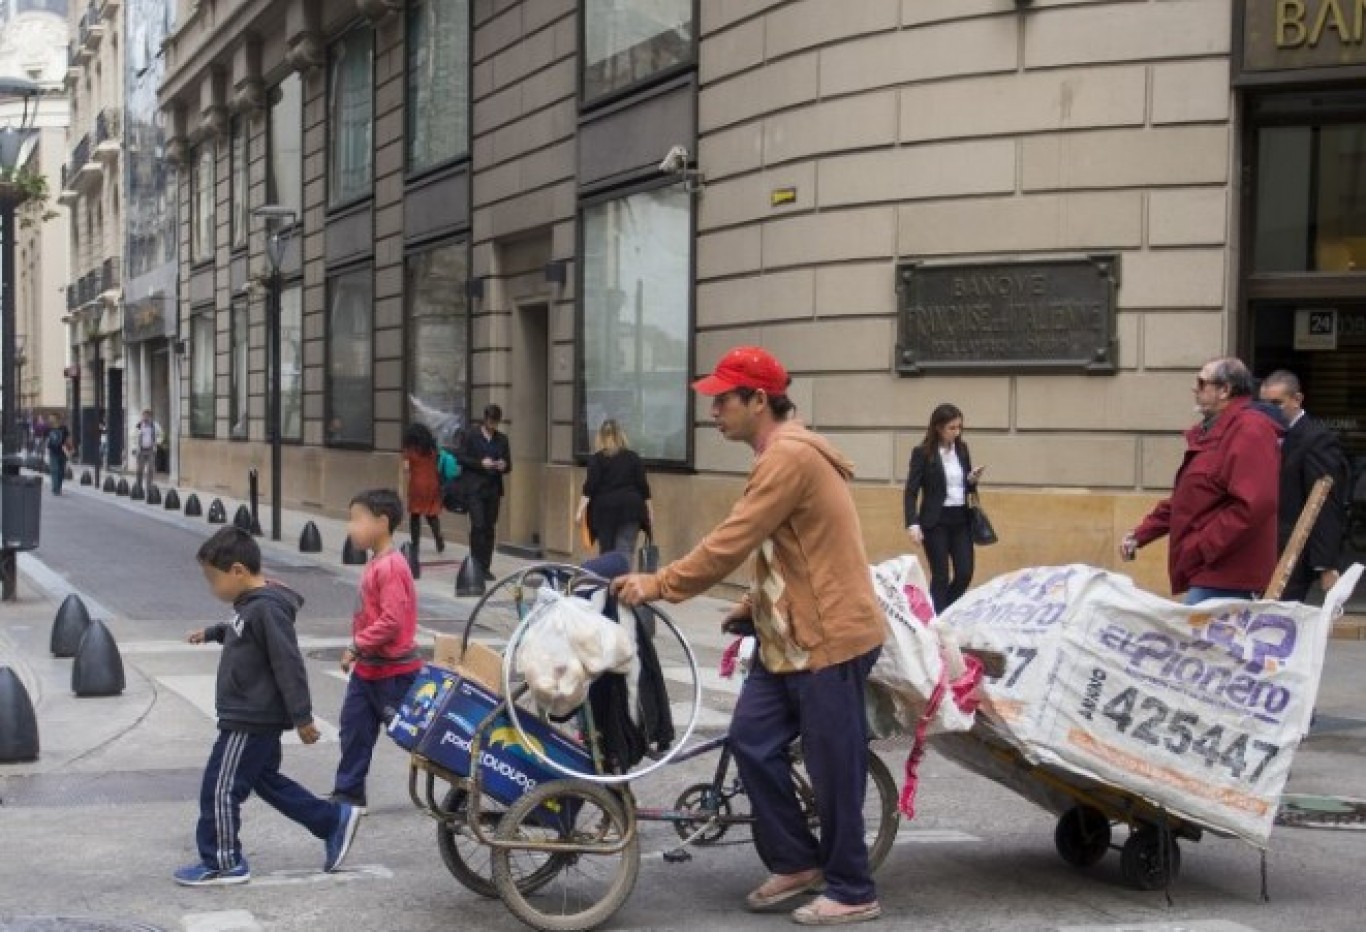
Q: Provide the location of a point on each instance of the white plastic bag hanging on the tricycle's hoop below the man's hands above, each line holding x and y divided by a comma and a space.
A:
568, 644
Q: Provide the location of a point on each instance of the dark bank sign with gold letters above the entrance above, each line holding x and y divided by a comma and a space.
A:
1298, 35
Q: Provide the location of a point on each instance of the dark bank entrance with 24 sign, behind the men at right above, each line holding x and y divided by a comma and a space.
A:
1305, 255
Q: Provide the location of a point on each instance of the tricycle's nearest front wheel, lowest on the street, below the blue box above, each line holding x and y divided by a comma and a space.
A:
598, 875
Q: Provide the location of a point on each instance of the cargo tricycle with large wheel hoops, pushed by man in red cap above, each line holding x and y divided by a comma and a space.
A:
566, 855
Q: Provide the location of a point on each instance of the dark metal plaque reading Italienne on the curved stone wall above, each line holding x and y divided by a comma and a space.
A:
1009, 318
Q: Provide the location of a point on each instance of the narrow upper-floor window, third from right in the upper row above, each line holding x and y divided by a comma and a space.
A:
352, 103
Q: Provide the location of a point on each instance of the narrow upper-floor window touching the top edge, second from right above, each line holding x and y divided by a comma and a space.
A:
439, 83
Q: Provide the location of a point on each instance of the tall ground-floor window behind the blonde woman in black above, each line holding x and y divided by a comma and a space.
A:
637, 286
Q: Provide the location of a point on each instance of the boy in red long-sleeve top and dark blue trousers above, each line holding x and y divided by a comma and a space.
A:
383, 658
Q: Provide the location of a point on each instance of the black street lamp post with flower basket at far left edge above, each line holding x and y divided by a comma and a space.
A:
16, 148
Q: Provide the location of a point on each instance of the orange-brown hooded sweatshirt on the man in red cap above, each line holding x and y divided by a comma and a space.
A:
813, 601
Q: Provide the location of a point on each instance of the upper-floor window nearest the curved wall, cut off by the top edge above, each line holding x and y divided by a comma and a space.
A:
628, 42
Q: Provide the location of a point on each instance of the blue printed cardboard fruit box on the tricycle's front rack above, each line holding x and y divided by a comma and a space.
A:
509, 770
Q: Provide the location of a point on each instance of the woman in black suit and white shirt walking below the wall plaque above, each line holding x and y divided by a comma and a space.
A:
936, 505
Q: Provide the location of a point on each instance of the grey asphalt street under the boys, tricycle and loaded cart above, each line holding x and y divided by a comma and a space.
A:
95, 829
